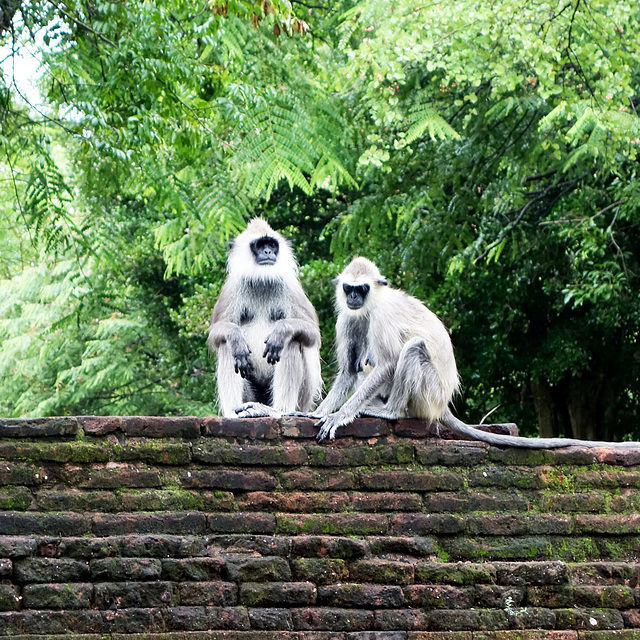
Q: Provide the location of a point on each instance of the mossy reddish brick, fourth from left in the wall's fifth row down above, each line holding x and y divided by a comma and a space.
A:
333, 524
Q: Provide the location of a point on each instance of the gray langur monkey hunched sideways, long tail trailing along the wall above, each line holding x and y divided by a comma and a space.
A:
413, 371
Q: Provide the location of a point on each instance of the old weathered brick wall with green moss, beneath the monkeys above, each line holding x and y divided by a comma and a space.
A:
178, 528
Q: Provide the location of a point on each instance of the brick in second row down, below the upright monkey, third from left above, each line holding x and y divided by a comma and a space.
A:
219, 452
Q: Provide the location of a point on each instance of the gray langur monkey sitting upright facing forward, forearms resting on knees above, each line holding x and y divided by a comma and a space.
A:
265, 330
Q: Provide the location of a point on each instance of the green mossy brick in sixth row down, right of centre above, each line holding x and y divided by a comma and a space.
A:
497, 548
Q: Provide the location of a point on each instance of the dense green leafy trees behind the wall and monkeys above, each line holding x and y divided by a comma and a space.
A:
483, 154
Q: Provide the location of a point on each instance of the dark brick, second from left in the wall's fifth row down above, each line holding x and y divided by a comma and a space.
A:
179, 523
